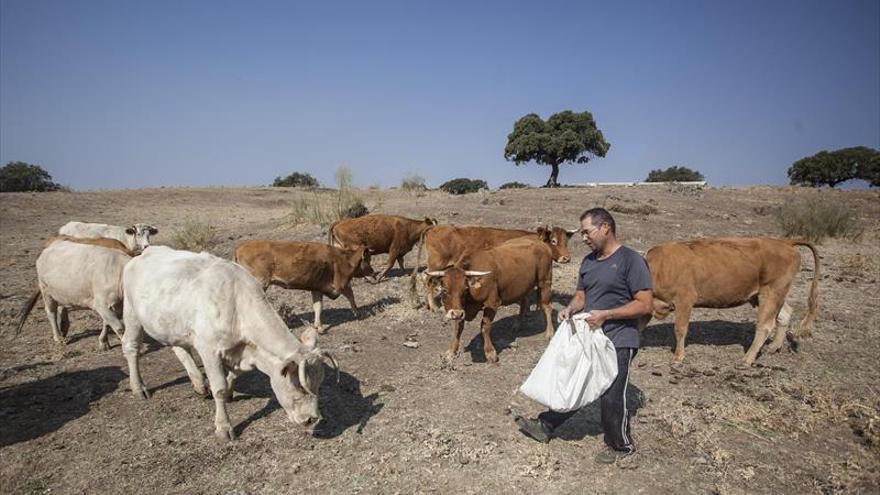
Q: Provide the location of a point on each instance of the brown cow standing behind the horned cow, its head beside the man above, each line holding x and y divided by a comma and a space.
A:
445, 244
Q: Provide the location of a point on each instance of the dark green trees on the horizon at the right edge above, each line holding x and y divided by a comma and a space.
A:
833, 167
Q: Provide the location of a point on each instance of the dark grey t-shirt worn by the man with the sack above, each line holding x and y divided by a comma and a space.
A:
611, 283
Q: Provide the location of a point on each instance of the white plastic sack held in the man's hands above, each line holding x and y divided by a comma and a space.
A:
577, 367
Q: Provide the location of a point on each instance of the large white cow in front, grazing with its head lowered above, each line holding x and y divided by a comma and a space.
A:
202, 303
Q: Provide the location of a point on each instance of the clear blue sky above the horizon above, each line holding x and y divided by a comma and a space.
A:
118, 94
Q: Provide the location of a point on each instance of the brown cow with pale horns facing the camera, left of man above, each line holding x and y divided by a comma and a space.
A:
487, 279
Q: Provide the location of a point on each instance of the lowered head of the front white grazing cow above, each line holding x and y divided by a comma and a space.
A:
296, 384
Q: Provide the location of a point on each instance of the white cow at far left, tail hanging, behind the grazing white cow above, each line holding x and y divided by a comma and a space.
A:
80, 274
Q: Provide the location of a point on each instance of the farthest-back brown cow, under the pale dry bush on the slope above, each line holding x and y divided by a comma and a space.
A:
381, 234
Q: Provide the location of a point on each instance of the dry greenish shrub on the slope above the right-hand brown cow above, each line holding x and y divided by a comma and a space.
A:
817, 218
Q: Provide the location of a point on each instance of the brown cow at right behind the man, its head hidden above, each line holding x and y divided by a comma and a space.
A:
724, 273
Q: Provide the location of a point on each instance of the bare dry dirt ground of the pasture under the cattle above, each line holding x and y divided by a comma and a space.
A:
400, 422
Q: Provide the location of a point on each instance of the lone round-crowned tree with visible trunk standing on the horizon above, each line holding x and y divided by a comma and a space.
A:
565, 137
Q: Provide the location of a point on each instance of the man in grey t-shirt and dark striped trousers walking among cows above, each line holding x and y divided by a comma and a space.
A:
614, 285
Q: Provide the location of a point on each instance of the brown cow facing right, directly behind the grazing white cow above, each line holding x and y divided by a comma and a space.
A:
319, 268
